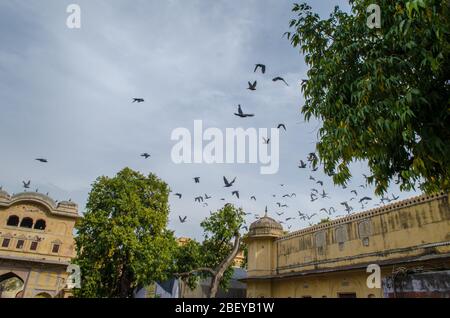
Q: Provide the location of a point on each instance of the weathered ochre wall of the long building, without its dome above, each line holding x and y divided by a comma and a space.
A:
397, 233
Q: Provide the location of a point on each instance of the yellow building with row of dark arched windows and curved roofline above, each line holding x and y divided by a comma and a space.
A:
36, 245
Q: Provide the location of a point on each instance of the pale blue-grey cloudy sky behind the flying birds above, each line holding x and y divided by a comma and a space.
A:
66, 95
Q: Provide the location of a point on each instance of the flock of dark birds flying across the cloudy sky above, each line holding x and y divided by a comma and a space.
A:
317, 193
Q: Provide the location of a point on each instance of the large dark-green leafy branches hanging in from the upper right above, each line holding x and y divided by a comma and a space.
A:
382, 94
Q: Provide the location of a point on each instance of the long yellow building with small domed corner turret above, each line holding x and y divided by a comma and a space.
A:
337, 258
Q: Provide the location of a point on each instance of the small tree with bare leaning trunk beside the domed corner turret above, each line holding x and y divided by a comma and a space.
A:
213, 257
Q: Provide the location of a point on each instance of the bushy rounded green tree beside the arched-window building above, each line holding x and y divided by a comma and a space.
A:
122, 241
